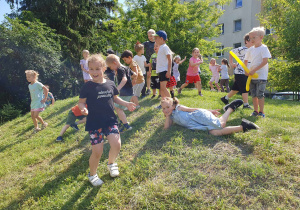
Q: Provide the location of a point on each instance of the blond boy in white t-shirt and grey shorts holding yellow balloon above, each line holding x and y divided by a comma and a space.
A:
258, 54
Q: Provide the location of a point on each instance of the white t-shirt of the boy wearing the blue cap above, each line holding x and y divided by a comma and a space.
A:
162, 61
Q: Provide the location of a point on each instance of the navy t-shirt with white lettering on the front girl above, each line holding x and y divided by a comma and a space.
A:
99, 100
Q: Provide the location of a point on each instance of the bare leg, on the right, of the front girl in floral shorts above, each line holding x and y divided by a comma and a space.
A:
114, 141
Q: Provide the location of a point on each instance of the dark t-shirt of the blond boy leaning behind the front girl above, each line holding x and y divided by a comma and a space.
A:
124, 71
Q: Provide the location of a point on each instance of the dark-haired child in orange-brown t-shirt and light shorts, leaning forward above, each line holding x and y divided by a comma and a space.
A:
139, 82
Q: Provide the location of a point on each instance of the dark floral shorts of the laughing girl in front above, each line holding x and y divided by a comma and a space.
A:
96, 136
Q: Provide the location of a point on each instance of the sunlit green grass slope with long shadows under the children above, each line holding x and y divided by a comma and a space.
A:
174, 169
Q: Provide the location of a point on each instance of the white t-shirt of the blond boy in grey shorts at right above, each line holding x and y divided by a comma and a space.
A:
256, 55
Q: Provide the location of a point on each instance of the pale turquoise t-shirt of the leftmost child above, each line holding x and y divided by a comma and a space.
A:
37, 94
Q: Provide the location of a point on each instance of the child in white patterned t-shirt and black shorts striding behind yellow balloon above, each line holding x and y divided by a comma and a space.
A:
240, 79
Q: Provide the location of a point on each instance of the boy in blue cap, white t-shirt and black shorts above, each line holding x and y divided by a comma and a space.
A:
163, 62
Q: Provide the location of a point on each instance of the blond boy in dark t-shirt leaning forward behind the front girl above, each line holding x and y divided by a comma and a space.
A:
124, 75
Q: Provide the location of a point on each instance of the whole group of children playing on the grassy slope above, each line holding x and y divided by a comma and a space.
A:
100, 97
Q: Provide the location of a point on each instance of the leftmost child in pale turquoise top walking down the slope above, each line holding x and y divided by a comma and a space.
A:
38, 95
